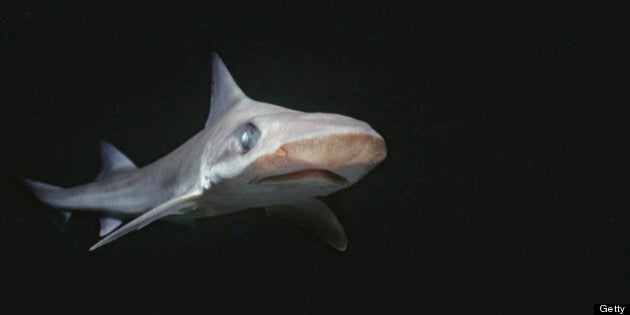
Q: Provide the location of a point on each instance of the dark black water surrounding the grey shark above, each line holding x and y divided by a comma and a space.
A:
504, 190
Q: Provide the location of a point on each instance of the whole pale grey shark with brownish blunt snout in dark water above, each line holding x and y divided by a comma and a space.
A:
250, 154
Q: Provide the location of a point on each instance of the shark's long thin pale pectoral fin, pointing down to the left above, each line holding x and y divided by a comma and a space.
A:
178, 205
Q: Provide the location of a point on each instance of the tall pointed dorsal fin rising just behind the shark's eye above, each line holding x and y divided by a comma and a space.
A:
225, 91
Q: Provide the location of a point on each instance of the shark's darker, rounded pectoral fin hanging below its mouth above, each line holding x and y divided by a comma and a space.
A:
315, 216
